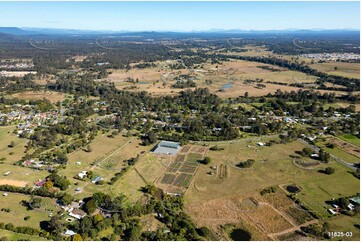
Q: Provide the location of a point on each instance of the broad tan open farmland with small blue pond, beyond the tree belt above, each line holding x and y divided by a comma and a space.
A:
227, 79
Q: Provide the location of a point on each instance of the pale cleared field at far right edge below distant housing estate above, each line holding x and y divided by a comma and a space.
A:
351, 70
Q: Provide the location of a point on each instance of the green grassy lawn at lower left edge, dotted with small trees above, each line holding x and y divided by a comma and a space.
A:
18, 211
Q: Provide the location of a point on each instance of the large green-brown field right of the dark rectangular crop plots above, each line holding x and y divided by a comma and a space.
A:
210, 204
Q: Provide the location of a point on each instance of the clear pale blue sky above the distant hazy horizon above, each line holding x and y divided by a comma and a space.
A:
181, 16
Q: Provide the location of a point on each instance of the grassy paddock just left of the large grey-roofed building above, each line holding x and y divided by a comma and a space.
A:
112, 152
